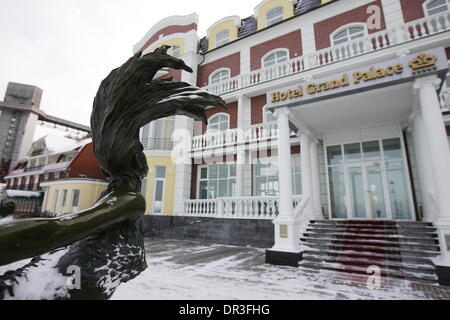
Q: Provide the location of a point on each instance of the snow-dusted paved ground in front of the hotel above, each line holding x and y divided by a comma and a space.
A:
181, 270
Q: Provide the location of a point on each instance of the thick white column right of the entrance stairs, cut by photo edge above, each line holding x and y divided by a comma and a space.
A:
439, 155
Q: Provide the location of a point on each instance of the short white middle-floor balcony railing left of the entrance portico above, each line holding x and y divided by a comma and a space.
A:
256, 133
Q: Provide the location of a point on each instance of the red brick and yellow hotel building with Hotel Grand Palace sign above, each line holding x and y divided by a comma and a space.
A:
333, 152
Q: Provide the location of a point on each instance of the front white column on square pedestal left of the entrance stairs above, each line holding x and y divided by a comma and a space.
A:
287, 236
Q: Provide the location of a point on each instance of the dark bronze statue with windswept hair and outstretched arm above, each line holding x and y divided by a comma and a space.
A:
105, 241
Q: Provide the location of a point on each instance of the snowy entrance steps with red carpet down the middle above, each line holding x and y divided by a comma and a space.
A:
402, 250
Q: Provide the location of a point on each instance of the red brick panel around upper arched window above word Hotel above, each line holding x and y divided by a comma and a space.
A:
291, 41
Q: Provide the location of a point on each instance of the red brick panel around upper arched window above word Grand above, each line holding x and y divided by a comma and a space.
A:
325, 28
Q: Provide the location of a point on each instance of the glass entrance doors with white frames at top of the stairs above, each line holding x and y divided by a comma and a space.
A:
369, 180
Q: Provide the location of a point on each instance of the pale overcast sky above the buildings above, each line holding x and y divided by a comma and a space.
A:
66, 47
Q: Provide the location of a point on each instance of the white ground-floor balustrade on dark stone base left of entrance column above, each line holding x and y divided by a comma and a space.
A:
262, 208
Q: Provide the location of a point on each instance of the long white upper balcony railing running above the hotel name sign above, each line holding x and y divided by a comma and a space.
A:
384, 39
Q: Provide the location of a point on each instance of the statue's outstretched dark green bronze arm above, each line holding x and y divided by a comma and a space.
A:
33, 237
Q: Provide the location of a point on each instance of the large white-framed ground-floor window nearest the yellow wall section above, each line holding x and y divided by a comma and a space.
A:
217, 181
